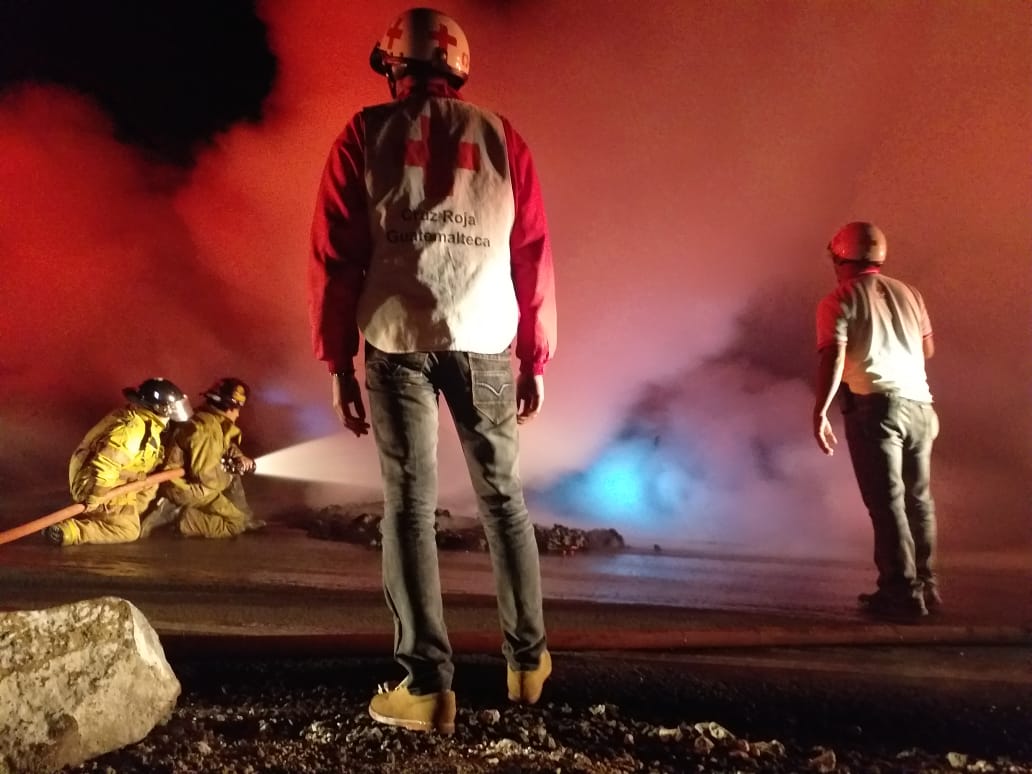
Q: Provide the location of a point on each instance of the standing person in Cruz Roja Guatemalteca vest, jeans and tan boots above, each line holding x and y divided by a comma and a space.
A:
430, 240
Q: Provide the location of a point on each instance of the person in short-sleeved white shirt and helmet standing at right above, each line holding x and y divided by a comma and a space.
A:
874, 339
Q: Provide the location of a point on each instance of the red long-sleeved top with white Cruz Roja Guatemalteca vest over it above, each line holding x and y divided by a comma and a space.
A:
430, 235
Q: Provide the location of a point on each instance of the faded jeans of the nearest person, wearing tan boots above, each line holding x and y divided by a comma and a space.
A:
480, 393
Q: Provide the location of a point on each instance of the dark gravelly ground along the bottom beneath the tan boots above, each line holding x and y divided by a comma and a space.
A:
605, 715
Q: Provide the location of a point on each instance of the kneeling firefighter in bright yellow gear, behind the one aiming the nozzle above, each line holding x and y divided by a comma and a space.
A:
123, 447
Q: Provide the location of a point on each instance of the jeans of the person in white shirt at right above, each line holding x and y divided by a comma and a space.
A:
890, 442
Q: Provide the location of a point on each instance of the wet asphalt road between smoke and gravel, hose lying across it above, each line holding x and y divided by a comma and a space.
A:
281, 590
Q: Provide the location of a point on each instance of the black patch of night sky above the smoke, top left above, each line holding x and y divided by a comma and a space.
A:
172, 75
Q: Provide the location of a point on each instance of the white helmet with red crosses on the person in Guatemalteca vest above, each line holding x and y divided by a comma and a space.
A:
424, 39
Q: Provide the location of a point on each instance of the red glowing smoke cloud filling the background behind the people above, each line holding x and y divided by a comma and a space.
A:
695, 160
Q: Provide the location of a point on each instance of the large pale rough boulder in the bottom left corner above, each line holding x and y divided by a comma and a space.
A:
78, 682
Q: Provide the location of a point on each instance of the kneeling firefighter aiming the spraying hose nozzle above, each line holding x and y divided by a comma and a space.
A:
209, 501
